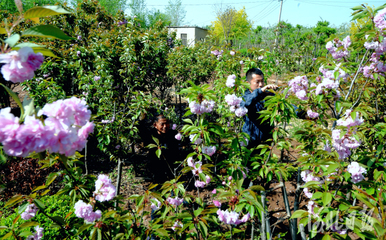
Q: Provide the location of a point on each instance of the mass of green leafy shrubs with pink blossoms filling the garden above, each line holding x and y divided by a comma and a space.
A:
91, 77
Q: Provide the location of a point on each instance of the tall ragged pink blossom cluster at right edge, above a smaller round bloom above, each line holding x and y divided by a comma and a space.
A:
343, 144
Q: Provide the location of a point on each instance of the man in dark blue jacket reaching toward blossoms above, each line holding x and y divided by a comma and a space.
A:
254, 102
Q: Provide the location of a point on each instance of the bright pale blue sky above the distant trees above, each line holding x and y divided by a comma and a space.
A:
266, 12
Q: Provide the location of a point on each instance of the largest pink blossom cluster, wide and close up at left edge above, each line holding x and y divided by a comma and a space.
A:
64, 131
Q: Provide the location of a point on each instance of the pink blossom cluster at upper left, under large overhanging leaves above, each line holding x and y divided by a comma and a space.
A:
20, 65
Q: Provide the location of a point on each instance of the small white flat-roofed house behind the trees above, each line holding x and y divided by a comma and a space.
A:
189, 35
